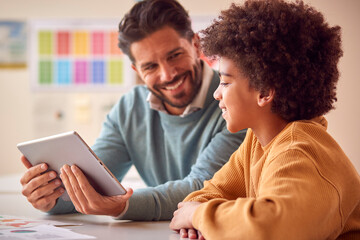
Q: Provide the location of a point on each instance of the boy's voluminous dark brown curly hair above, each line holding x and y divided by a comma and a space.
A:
285, 46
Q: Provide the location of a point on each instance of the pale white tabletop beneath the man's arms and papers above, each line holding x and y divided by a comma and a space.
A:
102, 227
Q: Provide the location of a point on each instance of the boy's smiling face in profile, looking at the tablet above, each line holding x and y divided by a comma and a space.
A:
238, 101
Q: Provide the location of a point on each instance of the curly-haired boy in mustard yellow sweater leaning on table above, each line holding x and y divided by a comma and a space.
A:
289, 179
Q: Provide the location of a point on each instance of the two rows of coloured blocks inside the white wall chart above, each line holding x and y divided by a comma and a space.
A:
79, 58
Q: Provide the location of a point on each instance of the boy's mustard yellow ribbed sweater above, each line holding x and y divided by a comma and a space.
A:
300, 186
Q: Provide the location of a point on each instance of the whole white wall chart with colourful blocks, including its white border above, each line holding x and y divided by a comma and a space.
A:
77, 54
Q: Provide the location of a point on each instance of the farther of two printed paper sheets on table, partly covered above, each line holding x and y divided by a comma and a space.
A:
14, 222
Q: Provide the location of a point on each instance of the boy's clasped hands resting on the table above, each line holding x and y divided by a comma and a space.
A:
182, 220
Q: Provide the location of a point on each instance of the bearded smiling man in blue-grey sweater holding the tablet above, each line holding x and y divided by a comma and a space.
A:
171, 129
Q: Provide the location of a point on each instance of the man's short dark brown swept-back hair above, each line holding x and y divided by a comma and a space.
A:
148, 16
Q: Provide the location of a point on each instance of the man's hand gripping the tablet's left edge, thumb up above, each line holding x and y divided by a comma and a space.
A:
39, 187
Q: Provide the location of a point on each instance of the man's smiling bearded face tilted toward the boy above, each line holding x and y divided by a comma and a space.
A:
170, 67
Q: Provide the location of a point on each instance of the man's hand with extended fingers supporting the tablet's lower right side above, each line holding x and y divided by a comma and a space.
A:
85, 198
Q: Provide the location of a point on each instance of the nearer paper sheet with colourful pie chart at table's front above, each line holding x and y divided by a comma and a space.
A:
48, 232
